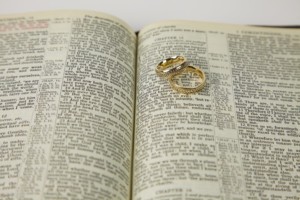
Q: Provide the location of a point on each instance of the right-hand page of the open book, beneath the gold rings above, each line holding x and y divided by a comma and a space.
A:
239, 137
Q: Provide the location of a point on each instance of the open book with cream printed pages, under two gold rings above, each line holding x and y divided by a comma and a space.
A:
84, 116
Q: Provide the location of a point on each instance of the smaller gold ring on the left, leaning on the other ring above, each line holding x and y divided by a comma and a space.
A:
171, 66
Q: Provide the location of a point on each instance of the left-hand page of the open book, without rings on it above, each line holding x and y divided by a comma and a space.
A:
67, 84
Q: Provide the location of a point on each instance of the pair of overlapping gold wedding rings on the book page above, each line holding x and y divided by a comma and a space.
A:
172, 67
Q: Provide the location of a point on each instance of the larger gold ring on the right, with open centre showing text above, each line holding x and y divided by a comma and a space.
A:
188, 90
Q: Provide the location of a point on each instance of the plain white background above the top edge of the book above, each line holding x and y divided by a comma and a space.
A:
138, 13
